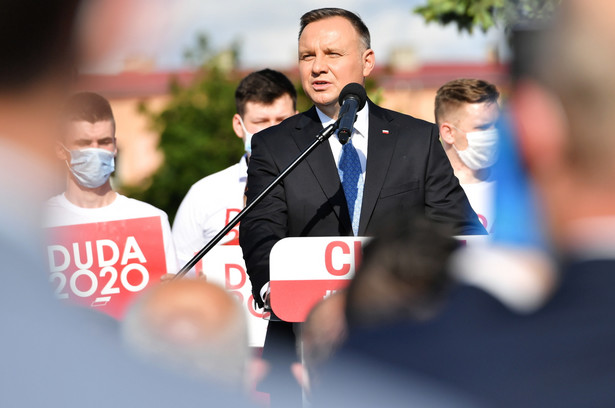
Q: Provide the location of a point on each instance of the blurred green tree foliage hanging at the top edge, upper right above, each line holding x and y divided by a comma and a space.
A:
484, 14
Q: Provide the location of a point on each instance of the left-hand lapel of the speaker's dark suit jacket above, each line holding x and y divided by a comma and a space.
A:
322, 164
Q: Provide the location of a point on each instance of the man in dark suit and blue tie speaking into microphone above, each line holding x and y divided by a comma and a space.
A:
392, 164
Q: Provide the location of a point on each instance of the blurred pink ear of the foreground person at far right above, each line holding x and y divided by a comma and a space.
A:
541, 128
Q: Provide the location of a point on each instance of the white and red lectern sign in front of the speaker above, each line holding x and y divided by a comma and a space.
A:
305, 270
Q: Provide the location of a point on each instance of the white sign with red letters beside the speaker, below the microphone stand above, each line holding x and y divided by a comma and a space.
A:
224, 265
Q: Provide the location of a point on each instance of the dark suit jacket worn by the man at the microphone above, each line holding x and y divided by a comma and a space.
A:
407, 172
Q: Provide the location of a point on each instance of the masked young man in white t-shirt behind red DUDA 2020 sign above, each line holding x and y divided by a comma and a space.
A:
88, 147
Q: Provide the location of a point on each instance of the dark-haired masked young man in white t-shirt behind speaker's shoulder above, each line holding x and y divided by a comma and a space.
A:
263, 98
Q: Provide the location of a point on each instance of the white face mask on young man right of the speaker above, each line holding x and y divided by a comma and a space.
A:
482, 150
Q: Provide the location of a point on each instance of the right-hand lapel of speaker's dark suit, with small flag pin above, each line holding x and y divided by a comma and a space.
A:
381, 145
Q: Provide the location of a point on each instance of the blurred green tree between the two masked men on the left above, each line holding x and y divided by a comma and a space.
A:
196, 138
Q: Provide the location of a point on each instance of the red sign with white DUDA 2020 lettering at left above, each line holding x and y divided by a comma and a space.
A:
104, 265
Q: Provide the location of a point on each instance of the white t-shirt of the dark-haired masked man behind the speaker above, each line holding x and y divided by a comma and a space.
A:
209, 205
